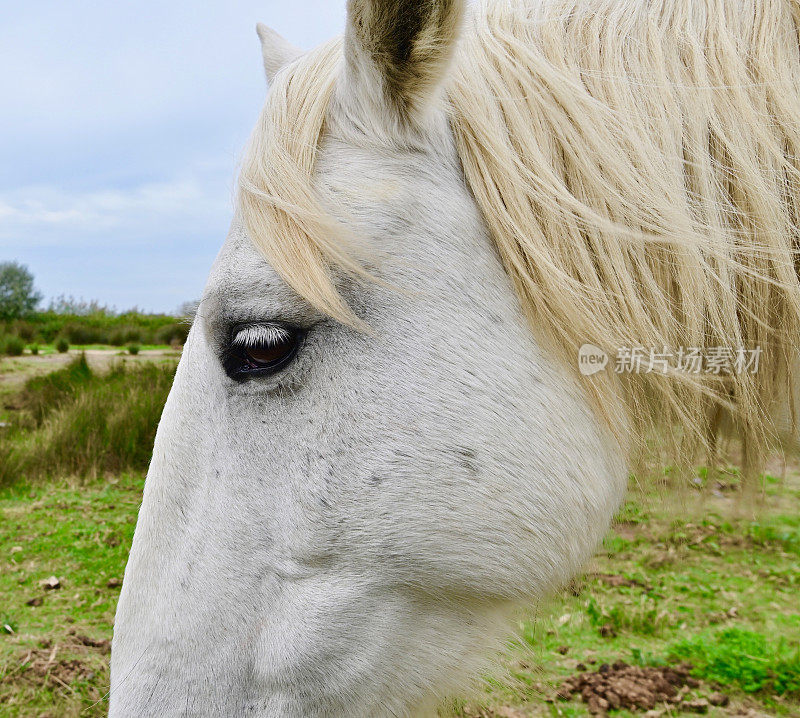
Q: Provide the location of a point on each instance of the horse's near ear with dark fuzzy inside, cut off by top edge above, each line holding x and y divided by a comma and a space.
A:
397, 52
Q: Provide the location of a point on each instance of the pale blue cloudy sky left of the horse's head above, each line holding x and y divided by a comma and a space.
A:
121, 124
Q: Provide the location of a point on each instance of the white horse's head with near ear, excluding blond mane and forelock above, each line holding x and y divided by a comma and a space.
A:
336, 519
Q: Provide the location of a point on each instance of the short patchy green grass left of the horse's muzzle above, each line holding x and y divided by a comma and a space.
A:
84, 548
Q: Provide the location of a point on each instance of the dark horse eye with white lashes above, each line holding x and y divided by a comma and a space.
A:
259, 349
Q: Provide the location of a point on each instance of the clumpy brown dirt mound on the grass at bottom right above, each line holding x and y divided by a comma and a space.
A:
635, 688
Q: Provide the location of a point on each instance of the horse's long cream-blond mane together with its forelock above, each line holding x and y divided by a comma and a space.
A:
638, 165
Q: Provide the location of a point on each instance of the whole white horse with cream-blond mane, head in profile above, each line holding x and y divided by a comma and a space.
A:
377, 445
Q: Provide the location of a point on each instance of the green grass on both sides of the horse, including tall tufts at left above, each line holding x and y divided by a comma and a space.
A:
701, 583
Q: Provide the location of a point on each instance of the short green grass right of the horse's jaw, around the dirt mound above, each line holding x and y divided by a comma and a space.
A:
719, 591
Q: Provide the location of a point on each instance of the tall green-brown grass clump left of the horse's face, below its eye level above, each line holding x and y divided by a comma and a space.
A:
86, 424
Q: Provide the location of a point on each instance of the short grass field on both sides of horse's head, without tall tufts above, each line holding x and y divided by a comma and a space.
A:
678, 579
